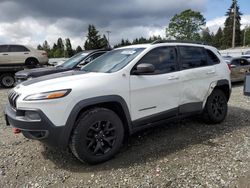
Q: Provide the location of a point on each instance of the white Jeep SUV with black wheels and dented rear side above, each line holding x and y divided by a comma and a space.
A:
127, 89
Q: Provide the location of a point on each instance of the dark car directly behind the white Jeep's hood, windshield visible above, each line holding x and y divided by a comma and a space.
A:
75, 62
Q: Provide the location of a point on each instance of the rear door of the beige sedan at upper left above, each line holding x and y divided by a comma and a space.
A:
18, 54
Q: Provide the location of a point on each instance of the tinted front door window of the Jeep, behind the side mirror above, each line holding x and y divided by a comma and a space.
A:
163, 59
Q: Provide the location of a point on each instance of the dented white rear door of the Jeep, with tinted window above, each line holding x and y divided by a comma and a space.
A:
198, 71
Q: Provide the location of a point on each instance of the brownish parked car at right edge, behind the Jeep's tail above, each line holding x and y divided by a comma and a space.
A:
239, 68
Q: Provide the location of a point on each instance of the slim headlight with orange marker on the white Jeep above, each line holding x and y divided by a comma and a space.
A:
48, 95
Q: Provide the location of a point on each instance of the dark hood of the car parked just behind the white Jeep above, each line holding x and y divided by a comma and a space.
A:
39, 72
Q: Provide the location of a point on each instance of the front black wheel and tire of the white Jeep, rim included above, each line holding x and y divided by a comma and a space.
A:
98, 136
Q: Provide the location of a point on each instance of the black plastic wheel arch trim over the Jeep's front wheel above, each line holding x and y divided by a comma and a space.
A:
113, 102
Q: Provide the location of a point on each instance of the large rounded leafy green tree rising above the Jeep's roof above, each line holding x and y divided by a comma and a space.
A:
186, 25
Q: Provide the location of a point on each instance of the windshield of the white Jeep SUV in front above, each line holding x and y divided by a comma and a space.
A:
113, 60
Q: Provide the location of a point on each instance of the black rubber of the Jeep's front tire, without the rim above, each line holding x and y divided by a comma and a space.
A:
82, 129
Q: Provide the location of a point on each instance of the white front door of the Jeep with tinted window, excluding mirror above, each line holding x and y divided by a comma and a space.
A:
156, 95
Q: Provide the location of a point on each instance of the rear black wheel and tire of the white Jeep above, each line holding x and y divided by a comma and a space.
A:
216, 107
